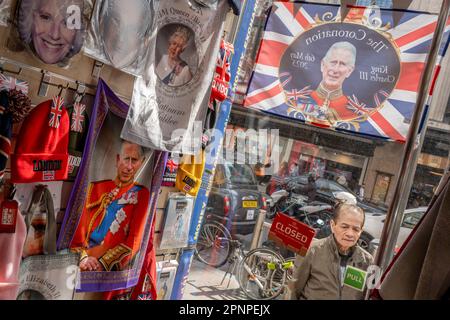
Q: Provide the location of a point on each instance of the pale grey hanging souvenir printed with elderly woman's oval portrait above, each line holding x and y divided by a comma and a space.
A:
175, 88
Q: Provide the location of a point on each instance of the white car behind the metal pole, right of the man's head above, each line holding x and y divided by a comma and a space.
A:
374, 226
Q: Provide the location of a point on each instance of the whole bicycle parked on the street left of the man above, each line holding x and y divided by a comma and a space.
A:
261, 273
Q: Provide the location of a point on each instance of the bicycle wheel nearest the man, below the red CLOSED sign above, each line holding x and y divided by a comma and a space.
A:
260, 275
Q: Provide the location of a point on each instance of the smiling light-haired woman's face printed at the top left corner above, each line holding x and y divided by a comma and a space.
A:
54, 29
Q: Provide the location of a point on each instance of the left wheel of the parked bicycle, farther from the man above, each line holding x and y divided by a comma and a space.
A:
213, 245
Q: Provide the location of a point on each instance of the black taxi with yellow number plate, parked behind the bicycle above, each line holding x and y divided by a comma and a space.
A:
235, 200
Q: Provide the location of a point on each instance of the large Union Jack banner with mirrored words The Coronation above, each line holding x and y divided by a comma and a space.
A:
360, 75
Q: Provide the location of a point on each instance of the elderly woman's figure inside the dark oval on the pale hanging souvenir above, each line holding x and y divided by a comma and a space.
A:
171, 69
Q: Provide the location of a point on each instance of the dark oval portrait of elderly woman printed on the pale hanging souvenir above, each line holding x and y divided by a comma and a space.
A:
176, 55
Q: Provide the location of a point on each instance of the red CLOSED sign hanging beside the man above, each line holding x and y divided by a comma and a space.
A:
292, 234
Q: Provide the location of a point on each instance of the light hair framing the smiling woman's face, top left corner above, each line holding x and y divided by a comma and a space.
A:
25, 24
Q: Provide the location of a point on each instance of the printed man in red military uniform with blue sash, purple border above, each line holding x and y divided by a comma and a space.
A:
113, 219
